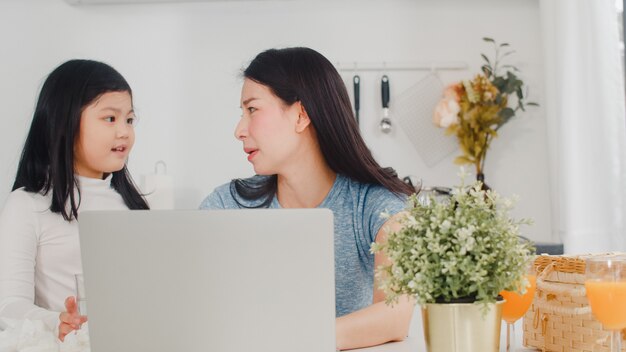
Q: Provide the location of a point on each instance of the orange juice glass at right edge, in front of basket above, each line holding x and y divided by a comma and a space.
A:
605, 283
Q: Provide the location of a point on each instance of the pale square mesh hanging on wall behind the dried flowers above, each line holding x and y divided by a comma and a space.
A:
413, 109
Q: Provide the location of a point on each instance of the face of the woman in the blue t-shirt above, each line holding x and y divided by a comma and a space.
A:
269, 129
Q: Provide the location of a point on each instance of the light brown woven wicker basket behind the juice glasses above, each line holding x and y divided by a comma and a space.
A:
559, 318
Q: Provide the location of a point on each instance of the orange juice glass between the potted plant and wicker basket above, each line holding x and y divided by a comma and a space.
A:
517, 304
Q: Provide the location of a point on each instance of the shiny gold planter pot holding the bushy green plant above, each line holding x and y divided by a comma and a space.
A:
462, 327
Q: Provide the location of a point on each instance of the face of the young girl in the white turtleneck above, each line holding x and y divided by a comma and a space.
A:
106, 135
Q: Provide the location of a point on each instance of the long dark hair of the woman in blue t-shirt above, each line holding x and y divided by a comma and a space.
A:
304, 75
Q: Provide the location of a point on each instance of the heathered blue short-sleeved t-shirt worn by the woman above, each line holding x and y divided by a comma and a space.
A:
357, 209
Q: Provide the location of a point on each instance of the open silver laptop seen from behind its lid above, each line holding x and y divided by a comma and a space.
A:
221, 280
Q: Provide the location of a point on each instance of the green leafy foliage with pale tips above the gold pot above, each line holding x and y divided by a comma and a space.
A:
468, 247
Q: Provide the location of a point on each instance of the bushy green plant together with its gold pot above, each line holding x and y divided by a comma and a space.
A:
454, 257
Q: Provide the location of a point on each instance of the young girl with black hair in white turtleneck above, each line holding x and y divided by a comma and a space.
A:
74, 159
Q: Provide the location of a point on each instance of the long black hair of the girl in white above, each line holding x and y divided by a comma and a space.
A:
47, 161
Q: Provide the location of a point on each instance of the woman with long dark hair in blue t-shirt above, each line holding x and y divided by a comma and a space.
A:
299, 133
